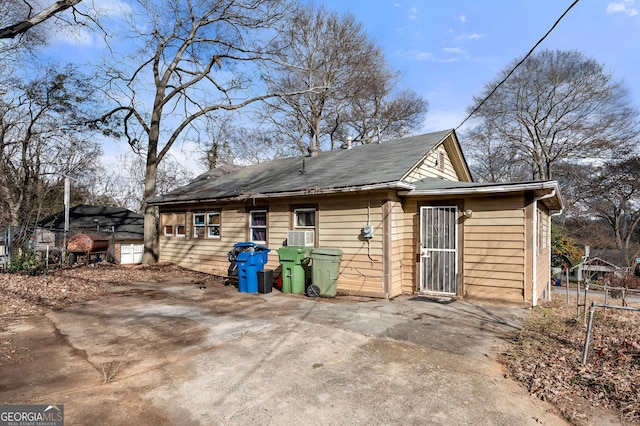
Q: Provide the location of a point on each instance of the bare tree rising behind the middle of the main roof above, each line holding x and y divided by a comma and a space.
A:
325, 50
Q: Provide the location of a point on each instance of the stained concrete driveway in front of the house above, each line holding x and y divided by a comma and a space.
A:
178, 354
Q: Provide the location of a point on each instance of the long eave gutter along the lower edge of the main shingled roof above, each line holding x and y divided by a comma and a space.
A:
305, 192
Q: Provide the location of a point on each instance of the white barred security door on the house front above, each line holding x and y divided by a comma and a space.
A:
438, 249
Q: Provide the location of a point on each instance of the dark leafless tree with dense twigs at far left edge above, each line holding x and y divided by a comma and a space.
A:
40, 140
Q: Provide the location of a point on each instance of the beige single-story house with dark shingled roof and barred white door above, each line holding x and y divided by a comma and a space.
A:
405, 213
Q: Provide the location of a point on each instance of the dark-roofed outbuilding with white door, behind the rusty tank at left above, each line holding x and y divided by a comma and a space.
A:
123, 228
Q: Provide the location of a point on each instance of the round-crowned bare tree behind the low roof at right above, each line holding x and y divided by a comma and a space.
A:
557, 106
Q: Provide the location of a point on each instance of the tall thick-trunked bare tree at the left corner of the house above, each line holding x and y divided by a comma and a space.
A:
194, 58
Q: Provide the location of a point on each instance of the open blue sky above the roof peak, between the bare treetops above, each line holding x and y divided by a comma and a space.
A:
448, 50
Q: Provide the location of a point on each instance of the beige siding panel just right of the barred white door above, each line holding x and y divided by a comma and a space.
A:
495, 249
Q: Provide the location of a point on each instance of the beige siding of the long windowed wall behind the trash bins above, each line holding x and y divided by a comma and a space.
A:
340, 222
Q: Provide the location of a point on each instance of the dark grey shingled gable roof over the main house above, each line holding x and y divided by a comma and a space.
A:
371, 164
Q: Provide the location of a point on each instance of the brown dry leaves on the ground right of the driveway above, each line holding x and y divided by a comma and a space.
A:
547, 358
